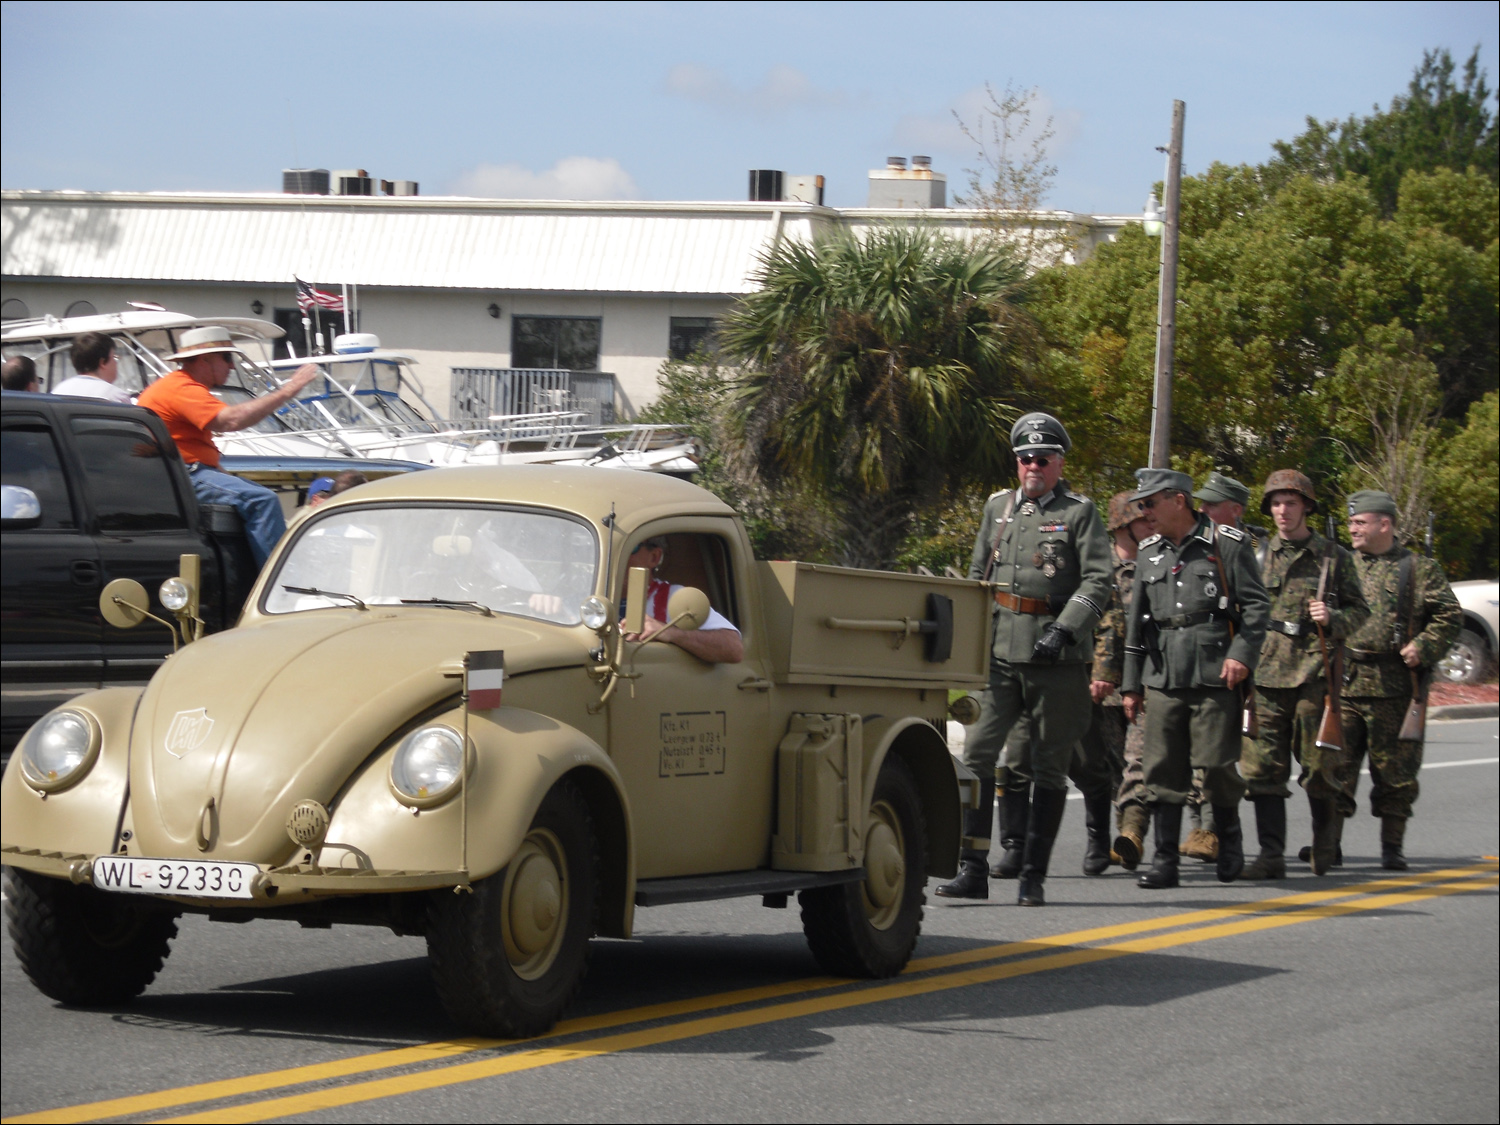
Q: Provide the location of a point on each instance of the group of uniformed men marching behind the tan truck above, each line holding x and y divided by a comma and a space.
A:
1175, 658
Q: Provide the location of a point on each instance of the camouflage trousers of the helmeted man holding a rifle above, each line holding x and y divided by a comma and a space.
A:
1289, 721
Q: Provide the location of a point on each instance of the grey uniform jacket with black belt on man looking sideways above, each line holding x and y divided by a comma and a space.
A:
1183, 625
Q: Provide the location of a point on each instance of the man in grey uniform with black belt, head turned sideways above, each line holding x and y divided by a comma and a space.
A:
1193, 637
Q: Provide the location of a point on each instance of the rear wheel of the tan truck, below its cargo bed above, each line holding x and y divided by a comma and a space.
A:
871, 929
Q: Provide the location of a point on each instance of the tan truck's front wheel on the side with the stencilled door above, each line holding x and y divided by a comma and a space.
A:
511, 956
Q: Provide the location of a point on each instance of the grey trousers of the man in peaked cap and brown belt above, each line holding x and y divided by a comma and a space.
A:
1054, 703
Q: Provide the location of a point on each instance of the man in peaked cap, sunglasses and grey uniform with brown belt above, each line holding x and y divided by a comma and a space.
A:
1046, 553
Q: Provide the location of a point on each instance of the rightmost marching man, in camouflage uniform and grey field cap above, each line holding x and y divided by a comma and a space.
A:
1414, 620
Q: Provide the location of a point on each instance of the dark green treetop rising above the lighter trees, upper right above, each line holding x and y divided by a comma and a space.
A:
1438, 124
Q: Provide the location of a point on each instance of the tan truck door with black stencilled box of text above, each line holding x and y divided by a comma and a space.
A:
694, 745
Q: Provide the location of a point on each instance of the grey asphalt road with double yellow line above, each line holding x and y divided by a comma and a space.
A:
1348, 998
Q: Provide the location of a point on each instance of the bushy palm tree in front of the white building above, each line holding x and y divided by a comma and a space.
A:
880, 373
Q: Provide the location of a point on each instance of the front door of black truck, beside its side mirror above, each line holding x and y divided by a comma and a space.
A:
50, 583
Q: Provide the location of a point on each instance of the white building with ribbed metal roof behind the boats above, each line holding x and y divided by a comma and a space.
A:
460, 284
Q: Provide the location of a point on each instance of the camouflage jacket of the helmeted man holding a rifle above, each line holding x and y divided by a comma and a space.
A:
1292, 655
